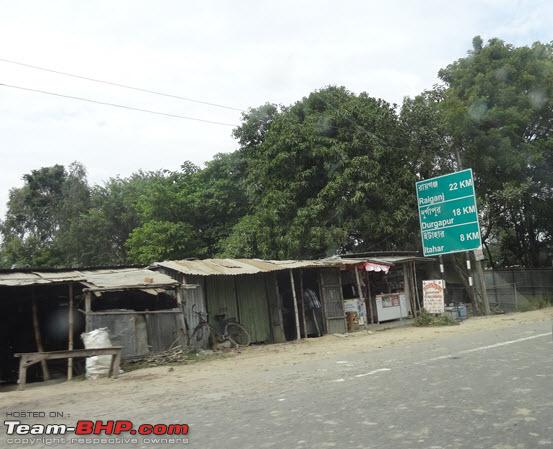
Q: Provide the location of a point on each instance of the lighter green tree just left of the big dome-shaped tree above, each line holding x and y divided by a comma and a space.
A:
188, 213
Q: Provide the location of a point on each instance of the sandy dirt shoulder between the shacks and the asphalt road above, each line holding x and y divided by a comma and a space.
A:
233, 366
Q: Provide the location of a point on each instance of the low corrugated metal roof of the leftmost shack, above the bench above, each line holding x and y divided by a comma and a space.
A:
112, 278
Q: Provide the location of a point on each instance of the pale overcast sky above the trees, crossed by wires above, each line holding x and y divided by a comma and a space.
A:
237, 53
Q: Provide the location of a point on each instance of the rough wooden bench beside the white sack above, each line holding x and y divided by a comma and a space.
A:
30, 358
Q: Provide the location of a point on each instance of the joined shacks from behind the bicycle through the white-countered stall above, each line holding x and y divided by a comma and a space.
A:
281, 300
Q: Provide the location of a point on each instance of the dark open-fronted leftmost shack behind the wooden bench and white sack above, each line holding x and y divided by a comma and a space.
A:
47, 310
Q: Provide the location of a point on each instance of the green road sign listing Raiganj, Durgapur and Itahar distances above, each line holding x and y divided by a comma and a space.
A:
448, 215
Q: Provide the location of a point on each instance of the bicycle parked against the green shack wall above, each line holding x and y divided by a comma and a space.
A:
226, 330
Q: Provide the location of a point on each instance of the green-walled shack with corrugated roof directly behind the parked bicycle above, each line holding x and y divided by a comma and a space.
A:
276, 300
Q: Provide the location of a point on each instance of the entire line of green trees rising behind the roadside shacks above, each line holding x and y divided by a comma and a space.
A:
332, 173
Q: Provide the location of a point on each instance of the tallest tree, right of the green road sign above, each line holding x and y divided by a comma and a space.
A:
498, 109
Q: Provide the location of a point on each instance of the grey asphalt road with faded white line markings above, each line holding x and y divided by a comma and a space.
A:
489, 389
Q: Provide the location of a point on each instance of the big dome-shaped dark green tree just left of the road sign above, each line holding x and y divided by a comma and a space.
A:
330, 173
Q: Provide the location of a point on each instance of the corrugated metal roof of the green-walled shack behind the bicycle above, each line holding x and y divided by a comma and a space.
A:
232, 267
